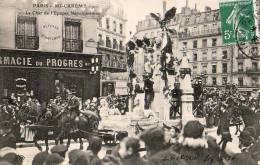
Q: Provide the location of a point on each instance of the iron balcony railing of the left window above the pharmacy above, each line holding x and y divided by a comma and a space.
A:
27, 42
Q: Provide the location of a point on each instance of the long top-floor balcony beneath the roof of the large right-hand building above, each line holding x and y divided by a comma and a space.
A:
194, 34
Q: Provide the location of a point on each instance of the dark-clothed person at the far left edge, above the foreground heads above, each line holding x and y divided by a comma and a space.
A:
7, 138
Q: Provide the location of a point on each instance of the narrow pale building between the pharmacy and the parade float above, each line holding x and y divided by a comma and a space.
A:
111, 44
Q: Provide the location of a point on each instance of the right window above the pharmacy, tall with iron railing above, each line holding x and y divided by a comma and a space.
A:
72, 36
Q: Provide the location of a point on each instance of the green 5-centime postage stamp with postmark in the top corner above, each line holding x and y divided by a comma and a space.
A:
237, 21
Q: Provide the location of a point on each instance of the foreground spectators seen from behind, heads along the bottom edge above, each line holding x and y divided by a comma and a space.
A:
154, 146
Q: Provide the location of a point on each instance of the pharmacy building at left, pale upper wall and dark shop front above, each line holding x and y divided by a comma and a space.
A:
47, 48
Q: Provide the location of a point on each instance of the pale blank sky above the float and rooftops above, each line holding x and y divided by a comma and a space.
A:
136, 10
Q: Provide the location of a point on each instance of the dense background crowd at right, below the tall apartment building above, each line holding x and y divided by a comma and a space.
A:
209, 102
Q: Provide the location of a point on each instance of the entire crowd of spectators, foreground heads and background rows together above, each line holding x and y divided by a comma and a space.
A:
158, 145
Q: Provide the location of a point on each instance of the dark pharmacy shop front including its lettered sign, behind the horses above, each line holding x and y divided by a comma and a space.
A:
47, 74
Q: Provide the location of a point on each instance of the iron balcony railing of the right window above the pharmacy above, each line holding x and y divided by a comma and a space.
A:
72, 45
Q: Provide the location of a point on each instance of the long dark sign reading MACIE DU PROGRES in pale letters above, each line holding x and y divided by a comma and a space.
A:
46, 60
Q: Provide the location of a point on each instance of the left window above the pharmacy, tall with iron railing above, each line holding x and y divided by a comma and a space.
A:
26, 37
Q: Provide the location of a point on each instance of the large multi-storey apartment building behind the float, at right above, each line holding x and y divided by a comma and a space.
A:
199, 37
